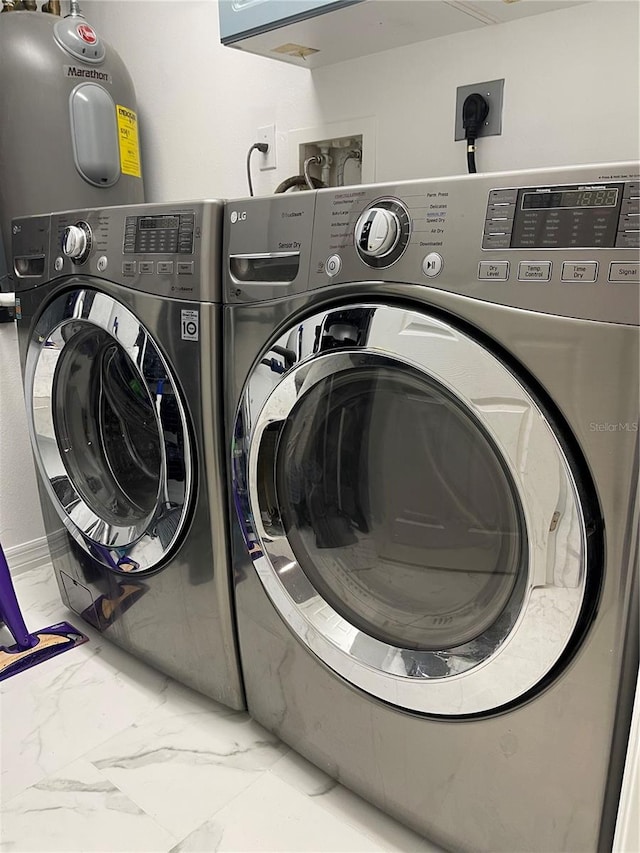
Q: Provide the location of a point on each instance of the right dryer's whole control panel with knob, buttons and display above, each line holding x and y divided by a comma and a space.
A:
563, 241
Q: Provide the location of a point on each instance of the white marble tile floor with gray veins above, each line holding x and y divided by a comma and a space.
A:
100, 752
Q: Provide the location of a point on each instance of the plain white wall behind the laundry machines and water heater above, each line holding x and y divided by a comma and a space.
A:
571, 96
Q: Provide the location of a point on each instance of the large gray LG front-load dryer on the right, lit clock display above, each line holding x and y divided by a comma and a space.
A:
432, 391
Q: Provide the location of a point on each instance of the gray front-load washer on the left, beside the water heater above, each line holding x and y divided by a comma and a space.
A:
119, 322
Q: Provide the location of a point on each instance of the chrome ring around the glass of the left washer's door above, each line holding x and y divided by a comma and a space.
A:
125, 547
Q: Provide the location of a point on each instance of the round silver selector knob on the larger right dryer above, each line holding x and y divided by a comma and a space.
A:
382, 232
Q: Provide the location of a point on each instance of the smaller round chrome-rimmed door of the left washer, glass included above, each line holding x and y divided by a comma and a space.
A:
109, 430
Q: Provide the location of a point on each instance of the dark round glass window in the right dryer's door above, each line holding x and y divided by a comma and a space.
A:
399, 509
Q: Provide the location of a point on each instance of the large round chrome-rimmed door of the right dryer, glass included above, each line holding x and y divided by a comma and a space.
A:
410, 510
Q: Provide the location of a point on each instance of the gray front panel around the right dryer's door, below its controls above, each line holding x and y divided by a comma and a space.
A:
444, 778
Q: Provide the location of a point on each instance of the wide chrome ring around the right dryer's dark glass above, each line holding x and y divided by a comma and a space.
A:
557, 536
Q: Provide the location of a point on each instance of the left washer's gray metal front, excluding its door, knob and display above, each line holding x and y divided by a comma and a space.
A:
177, 617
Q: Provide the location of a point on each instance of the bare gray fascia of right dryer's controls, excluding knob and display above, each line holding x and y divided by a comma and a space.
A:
448, 219
